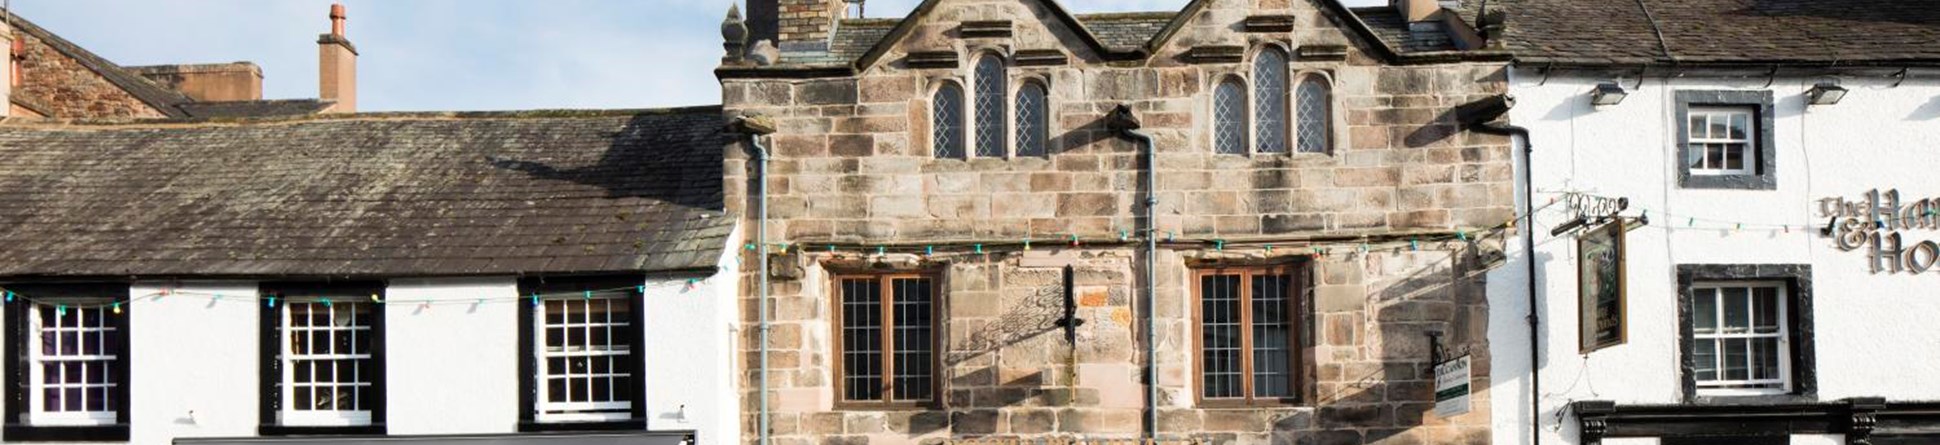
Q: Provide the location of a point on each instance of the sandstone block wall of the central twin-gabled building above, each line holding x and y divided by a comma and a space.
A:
853, 168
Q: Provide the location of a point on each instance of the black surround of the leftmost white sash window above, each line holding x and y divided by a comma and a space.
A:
16, 347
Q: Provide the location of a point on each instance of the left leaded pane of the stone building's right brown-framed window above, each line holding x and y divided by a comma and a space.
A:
1221, 337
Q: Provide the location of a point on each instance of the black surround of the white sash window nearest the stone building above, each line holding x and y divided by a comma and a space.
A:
529, 364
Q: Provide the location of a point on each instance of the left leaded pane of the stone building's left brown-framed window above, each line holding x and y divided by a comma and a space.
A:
862, 343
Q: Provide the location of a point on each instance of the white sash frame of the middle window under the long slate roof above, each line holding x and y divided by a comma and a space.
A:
288, 415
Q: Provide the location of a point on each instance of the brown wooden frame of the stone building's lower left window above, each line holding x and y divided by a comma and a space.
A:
889, 343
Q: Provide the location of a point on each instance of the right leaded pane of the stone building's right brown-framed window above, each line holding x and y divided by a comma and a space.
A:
1272, 337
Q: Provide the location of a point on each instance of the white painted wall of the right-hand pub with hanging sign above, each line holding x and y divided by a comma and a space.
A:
1875, 331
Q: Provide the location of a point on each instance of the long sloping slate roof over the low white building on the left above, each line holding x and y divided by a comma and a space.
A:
366, 195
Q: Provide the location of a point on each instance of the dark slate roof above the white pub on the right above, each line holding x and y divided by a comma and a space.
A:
1722, 32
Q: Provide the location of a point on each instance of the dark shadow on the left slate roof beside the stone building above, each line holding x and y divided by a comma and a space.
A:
661, 156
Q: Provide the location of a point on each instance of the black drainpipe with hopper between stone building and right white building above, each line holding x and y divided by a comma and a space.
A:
1481, 118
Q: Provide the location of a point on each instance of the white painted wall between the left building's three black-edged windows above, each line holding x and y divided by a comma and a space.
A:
453, 366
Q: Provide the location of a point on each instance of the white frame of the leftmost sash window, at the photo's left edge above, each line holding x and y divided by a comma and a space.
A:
38, 378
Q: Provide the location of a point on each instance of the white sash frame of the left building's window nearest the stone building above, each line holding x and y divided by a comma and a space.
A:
562, 413
